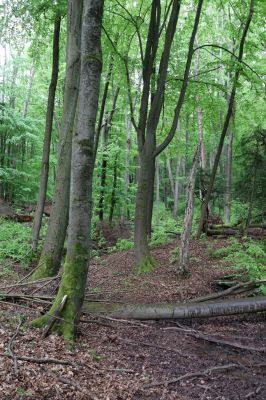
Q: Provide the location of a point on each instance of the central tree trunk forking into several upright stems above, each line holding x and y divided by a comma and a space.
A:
149, 119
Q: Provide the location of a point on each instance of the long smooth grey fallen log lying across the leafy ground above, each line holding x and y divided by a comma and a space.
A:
178, 310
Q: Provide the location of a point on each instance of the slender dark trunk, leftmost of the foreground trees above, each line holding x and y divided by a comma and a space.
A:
47, 137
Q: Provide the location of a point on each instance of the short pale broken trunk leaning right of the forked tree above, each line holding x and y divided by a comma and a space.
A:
184, 248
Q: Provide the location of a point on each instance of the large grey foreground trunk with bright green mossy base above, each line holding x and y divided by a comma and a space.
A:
74, 277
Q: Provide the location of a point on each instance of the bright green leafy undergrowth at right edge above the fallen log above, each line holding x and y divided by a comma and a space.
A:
248, 255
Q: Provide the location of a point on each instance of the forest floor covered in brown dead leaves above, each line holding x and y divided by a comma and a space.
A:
119, 360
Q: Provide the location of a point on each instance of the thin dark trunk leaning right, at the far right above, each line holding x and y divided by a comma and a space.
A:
227, 120
